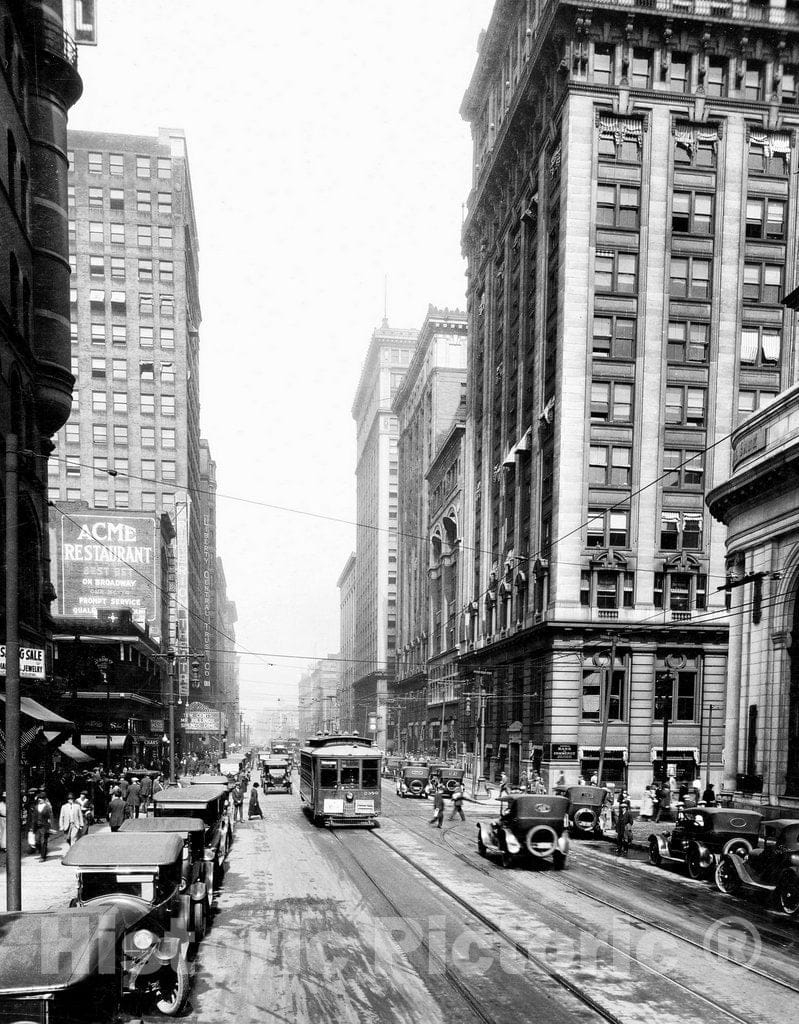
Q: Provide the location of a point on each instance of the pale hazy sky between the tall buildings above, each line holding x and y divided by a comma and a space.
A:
326, 153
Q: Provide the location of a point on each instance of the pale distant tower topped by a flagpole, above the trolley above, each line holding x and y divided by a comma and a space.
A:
376, 475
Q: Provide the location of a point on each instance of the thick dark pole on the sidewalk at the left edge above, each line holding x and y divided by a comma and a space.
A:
14, 842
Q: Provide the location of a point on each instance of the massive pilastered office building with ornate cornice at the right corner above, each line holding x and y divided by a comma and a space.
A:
629, 231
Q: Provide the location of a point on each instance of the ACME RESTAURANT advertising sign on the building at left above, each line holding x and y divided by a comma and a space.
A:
105, 561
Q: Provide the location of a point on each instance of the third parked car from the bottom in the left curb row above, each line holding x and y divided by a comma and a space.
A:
197, 891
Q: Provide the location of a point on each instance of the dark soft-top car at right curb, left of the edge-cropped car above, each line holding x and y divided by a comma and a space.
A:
702, 835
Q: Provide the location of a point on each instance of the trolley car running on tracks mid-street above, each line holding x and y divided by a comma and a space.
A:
341, 780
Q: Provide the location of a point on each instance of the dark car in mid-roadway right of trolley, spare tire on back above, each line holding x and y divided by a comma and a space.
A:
531, 828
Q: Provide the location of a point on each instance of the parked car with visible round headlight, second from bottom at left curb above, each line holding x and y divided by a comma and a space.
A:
139, 879
